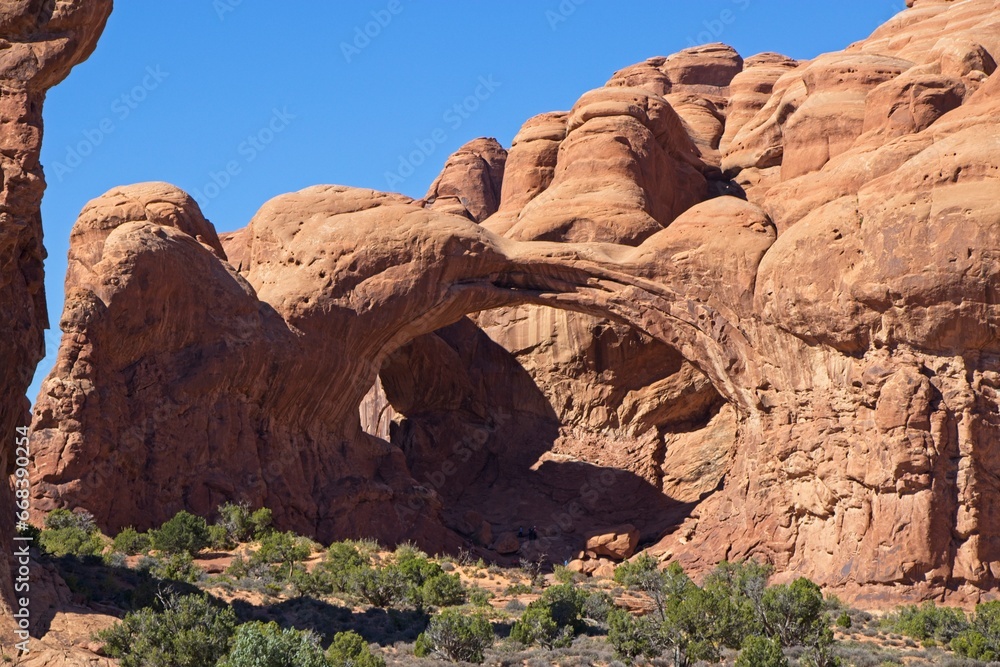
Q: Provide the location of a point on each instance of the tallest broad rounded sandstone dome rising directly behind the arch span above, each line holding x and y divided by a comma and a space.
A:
626, 169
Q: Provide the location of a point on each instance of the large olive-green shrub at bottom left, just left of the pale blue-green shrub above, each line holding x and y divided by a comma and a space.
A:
188, 631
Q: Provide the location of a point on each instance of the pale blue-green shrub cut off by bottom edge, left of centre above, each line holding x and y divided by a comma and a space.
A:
259, 644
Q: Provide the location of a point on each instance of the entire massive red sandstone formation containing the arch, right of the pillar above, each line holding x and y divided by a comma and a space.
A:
805, 372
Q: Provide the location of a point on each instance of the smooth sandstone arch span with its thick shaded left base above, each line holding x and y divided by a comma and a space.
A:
338, 279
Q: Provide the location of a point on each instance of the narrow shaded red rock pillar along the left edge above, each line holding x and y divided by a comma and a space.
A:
41, 42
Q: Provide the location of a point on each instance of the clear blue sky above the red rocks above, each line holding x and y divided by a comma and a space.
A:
291, 94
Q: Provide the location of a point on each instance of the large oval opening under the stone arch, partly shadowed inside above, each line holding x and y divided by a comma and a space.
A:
539, 417
